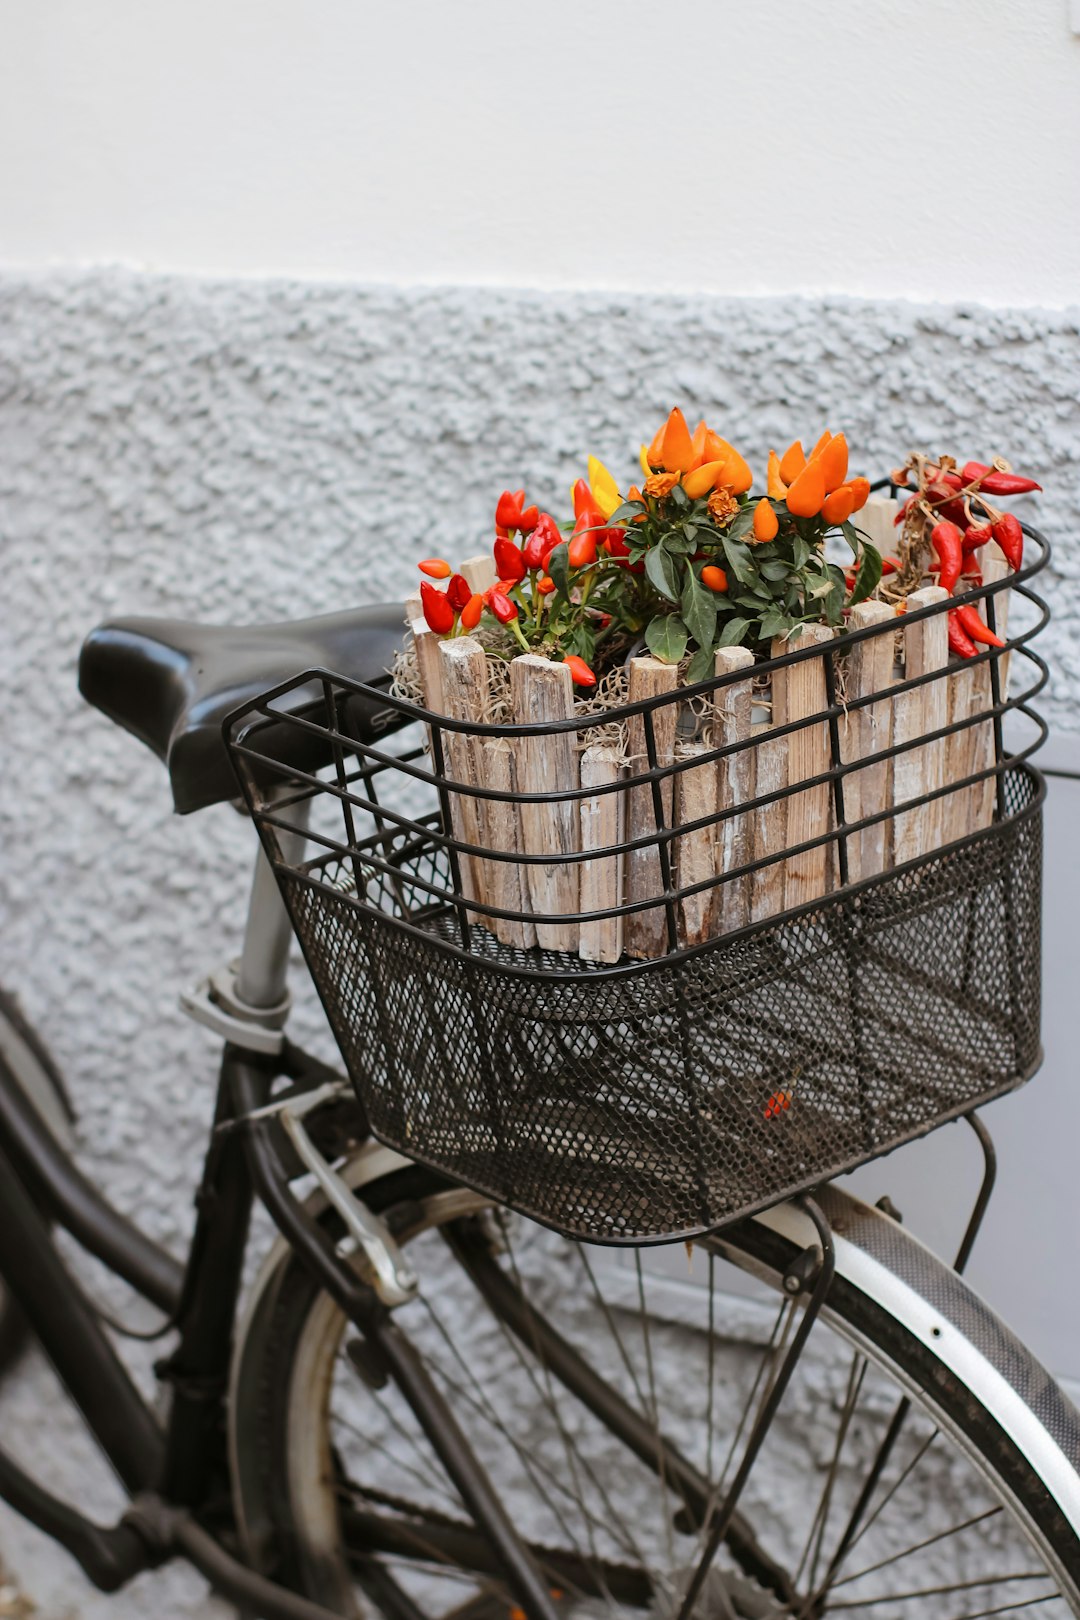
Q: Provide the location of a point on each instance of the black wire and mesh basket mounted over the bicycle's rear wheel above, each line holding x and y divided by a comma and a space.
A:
642, 1101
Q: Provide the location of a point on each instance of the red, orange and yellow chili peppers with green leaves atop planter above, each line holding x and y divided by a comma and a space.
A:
691, 560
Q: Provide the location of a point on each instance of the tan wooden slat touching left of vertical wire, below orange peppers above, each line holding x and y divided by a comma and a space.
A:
801, 691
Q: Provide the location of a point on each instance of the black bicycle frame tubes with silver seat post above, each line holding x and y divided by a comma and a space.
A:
177, 1473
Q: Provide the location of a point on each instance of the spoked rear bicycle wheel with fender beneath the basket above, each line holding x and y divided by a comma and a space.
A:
922, 1462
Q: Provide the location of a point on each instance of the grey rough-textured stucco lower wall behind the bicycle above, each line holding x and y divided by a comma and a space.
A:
263, 451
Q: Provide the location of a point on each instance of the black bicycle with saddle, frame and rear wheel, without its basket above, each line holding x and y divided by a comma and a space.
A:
432, 1407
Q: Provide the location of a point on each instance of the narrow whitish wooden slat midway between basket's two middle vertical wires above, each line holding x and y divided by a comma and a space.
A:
734, 787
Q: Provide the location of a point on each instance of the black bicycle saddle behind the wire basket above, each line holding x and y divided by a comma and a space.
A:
172, 684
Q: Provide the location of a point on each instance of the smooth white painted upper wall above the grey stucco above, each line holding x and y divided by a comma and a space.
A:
738, 148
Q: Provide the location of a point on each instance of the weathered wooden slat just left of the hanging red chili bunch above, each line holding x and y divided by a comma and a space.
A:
922, 769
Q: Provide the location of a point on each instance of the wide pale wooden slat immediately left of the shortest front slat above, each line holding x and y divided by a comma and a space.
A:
542, 694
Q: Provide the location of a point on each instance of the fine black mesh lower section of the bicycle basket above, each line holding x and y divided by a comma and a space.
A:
636, 1106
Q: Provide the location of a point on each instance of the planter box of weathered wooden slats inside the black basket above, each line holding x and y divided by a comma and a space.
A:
744, 744
